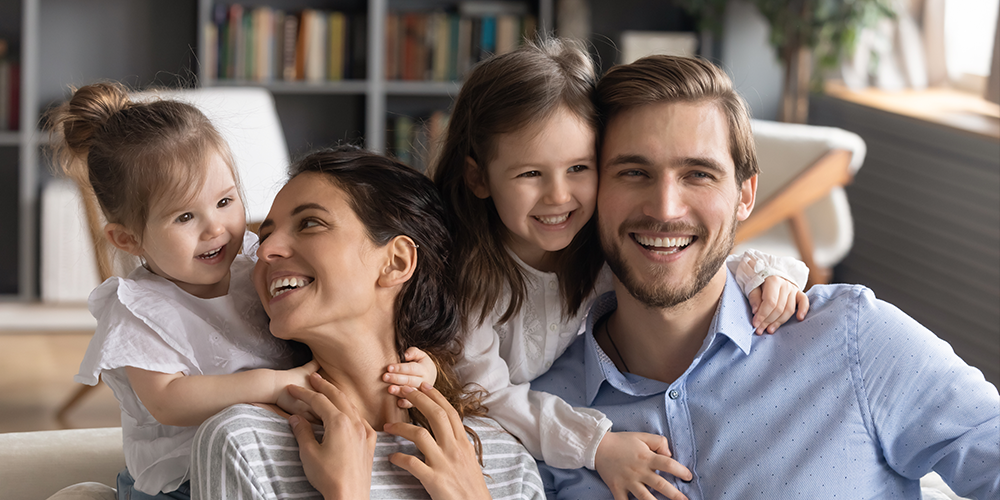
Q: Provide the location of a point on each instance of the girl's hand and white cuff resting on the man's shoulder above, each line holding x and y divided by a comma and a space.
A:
773, 286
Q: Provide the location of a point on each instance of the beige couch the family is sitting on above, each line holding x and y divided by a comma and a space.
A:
82, 464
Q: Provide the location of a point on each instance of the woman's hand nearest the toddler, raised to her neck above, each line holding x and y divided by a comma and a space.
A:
340, 467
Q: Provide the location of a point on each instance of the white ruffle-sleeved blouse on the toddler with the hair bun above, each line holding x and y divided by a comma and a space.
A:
148, 322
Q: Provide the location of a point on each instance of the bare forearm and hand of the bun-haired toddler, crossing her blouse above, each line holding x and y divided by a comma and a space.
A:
187, 400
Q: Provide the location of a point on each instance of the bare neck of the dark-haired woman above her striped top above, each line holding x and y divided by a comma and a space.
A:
354, 361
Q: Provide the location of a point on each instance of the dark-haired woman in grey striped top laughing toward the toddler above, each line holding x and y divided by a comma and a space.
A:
352, 263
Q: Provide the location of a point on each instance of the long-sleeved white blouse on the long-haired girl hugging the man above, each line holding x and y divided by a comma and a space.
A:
504, 358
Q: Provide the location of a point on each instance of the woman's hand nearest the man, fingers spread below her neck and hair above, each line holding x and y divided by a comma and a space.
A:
450, 469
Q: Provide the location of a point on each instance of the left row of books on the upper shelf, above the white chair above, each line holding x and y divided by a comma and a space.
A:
265, 44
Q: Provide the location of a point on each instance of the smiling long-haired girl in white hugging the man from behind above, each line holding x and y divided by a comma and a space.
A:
518, 172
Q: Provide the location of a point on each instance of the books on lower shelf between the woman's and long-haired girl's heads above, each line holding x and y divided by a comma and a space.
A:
416, 141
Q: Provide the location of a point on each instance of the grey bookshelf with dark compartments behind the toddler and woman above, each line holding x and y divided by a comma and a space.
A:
60, 43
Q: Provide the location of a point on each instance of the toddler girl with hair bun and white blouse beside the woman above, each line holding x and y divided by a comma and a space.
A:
184, 335
